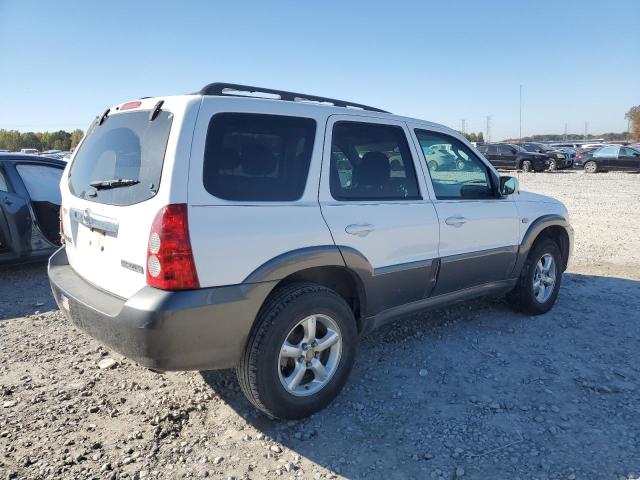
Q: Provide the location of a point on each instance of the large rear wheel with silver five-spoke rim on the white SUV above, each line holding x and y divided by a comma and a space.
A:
300, 352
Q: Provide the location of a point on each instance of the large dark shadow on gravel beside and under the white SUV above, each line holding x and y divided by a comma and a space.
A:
440, 391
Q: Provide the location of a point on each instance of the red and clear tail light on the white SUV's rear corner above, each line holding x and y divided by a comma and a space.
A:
170, 264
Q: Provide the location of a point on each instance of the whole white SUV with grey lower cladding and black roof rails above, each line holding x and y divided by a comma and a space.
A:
217, 230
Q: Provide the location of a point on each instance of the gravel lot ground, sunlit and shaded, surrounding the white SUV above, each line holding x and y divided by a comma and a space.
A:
472, 391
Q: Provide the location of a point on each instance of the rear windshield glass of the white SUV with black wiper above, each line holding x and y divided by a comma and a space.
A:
127, 146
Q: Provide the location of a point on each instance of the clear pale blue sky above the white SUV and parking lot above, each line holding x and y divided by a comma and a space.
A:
61, 63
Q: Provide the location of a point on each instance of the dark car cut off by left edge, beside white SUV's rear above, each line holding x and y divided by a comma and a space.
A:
29, 207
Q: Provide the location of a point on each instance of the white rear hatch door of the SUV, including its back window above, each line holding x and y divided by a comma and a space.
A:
110, 196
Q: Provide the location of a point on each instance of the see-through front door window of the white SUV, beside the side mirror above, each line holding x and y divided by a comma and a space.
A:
461, 175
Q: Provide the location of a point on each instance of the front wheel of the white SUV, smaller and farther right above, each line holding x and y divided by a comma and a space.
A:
539, 282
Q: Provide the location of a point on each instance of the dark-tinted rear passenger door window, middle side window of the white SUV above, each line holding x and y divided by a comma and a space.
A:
371, 162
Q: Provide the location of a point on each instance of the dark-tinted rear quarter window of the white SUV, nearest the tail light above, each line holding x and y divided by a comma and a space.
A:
256, 157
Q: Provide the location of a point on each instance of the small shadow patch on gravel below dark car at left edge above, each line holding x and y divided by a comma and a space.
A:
25, 290
